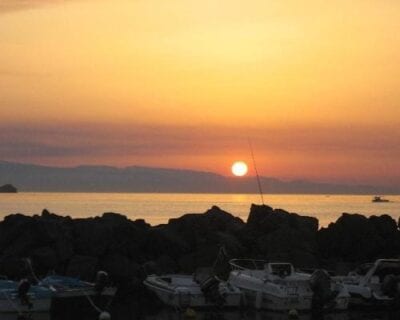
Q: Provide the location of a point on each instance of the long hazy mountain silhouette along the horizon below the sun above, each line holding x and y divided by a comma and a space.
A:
30, 177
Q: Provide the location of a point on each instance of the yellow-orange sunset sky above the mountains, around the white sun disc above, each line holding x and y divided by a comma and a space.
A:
184, 83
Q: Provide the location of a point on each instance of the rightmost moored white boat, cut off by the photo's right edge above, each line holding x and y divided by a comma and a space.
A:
373, 283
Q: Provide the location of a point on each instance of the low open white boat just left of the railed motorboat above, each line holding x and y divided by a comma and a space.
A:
182, 291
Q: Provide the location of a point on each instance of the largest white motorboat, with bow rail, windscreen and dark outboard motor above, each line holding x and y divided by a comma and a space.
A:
278, 287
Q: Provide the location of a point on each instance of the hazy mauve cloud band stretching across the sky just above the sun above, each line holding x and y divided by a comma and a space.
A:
101, 139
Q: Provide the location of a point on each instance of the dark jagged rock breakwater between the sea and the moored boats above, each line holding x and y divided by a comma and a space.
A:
128, 250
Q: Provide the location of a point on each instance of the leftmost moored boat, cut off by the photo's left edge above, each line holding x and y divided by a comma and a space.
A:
23, 298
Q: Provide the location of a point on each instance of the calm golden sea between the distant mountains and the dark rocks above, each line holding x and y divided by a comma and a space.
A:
158, 208
